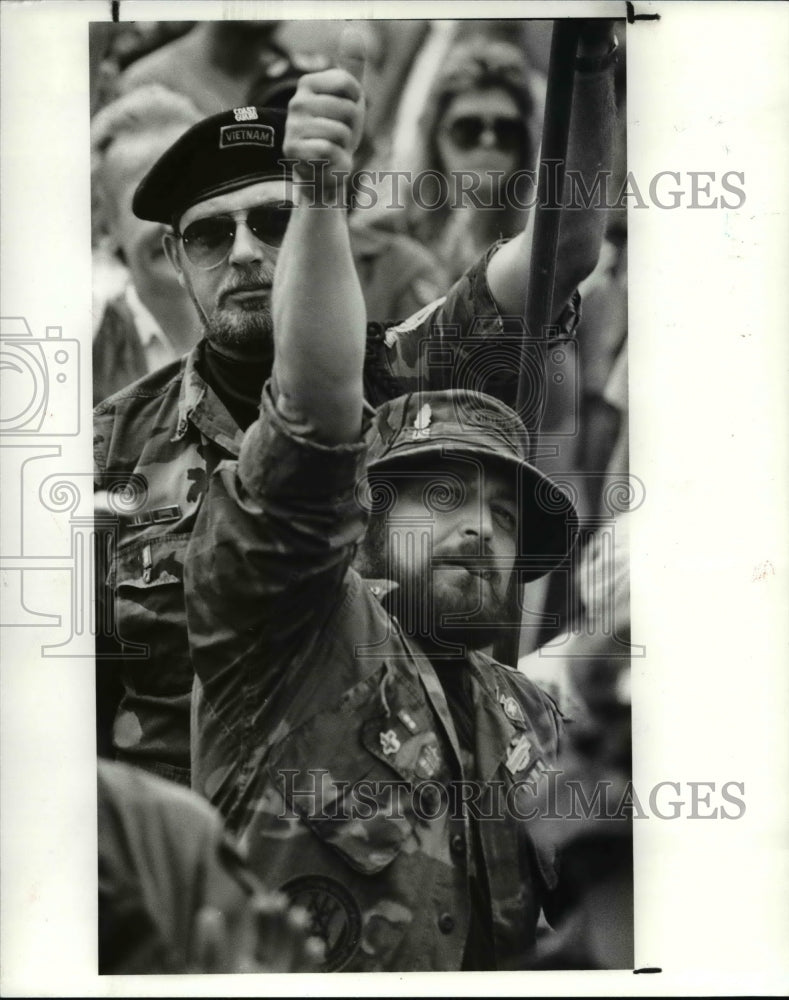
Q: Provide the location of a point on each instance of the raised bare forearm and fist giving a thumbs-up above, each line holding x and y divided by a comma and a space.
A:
318, 308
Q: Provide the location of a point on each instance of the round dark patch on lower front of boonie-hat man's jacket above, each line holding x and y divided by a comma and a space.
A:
334, 915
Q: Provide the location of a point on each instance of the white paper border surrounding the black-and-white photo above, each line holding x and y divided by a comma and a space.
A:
708, 89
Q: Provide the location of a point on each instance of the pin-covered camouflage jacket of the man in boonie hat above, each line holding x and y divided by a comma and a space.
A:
323, 734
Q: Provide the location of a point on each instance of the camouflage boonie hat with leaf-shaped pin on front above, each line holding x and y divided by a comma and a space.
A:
415, 430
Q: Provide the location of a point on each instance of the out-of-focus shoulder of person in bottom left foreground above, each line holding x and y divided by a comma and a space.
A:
174, 893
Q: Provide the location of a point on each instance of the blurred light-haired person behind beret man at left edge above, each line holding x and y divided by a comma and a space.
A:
136, 293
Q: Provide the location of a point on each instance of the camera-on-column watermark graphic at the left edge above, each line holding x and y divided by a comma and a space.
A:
40, 406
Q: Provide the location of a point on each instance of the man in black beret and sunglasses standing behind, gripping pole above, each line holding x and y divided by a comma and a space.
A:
226, 194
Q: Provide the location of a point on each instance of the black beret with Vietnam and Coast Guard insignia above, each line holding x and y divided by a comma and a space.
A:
222, 153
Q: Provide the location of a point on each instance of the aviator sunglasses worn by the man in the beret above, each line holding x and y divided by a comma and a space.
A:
207, 242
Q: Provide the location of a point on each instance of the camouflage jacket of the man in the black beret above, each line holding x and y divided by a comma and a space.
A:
160, 439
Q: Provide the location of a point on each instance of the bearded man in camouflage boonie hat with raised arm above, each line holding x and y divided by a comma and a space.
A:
374, 763
